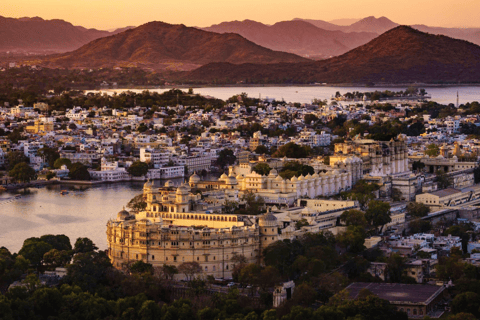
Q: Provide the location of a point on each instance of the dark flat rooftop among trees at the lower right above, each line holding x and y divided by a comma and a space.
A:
397, 292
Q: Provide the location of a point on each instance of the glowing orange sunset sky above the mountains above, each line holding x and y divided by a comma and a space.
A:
108, 14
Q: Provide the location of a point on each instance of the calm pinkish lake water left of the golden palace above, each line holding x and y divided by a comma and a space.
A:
83, 212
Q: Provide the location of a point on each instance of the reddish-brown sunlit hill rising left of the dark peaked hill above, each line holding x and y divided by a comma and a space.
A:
160, 46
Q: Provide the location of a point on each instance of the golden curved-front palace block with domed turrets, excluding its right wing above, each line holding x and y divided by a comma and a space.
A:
170, 232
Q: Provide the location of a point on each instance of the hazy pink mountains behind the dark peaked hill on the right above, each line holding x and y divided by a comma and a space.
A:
327, 39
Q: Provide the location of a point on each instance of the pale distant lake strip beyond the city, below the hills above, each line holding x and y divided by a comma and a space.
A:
305, 94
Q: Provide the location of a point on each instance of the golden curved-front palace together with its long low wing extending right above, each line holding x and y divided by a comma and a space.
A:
171, 231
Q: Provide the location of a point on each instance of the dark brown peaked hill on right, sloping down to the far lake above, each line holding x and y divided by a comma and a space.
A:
400, 55
